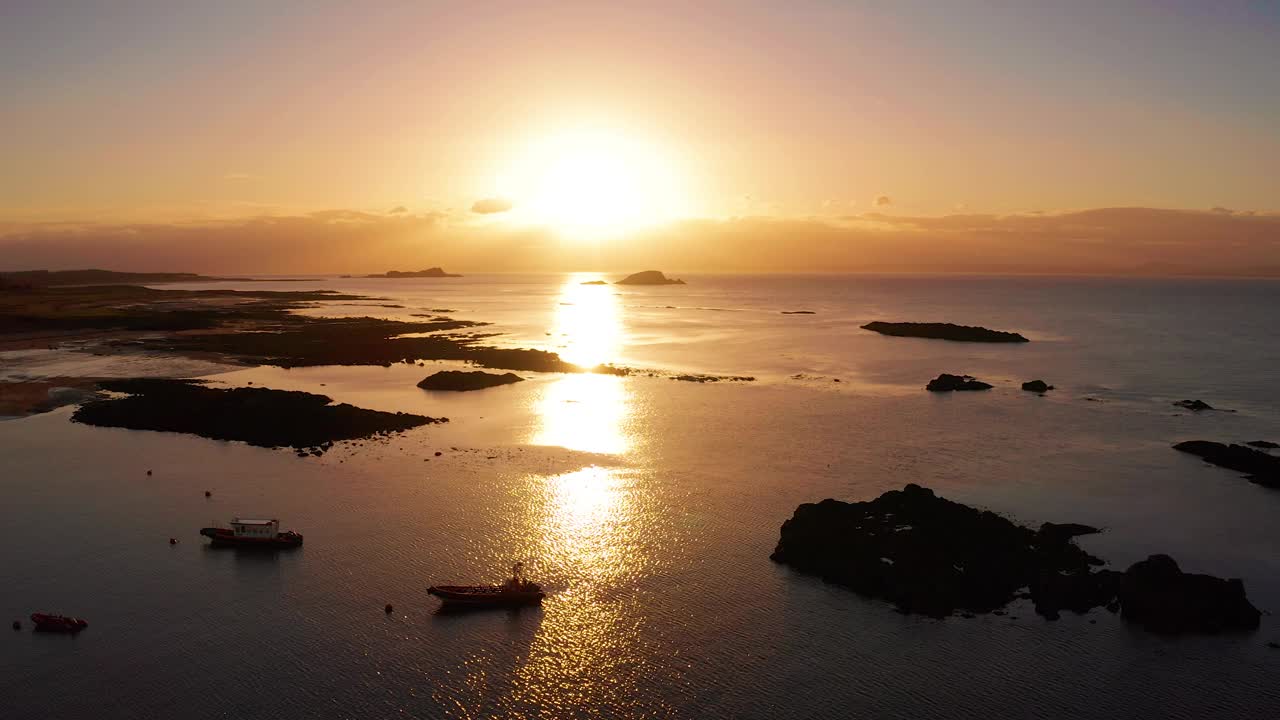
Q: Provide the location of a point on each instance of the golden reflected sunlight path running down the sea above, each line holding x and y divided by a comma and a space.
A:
589, 528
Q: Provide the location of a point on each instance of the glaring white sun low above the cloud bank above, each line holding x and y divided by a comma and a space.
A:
596, 184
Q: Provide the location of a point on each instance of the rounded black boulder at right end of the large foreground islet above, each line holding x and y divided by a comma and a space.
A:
1160, 598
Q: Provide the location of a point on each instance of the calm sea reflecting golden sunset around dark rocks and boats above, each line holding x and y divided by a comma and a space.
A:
648, 509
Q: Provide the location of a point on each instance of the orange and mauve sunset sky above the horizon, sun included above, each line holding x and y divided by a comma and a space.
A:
450, 131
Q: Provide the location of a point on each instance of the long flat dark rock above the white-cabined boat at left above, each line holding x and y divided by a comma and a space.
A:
262, 417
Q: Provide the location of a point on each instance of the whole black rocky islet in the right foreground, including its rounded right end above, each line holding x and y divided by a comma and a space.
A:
932, 557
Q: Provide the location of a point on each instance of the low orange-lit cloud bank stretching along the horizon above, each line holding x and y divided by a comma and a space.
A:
1144, 241
